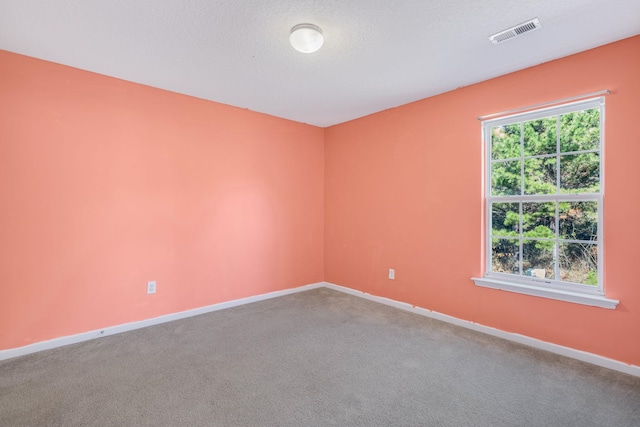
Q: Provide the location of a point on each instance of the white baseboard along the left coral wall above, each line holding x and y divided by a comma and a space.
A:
112, 330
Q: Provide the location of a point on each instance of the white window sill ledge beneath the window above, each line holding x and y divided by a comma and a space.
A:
562, 295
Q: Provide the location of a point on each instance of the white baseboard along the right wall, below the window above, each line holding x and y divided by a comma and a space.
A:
521, 339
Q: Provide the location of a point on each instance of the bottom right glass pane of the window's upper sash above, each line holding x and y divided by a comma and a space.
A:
580, 173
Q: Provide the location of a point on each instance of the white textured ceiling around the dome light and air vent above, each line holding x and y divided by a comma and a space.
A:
377, 54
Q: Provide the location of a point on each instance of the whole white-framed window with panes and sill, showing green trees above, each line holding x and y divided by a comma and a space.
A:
544, 185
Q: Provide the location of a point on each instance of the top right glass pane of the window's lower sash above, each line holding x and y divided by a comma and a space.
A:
579, 220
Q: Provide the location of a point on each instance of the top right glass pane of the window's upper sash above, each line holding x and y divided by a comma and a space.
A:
580, 130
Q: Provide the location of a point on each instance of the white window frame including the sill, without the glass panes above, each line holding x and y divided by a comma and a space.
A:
546, 288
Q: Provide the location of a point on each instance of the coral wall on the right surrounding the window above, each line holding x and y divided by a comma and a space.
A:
404, 191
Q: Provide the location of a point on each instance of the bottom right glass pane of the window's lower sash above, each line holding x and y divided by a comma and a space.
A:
579, 263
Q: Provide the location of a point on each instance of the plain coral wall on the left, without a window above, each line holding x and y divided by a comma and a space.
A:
106, 185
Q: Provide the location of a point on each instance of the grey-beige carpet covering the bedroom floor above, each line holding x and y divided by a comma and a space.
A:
315, 358
